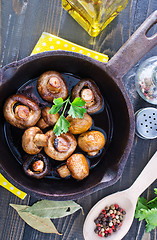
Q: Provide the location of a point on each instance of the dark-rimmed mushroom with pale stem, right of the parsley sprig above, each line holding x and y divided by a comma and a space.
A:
89, 92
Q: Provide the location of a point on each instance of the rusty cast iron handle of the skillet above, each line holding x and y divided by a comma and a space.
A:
134, 49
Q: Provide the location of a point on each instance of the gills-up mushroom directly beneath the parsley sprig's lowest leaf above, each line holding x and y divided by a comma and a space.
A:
60, 148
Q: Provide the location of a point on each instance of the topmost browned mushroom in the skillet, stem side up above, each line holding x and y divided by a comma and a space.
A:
52, 85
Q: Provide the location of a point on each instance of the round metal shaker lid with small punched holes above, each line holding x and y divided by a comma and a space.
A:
146, 123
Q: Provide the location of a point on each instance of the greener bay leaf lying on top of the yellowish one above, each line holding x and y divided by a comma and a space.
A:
53, 209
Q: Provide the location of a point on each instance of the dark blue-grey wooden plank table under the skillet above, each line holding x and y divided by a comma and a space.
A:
22, 22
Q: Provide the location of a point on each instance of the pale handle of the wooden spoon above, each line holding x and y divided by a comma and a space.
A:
146, 178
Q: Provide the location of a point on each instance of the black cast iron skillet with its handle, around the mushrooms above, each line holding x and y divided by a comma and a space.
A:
108, 78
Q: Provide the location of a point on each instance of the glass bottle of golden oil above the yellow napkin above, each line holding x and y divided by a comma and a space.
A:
94, 15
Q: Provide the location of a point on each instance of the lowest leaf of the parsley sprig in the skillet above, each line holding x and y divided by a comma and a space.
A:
61, 126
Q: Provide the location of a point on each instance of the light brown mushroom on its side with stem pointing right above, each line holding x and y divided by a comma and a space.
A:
33, 140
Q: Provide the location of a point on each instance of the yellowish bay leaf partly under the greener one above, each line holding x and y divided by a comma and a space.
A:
38, 223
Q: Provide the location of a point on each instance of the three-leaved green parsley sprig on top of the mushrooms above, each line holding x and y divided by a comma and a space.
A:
76, 110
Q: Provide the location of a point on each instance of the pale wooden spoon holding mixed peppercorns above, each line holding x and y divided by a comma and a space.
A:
126, 199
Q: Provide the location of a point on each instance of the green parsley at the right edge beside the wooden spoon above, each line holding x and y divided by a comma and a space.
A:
147, 211
